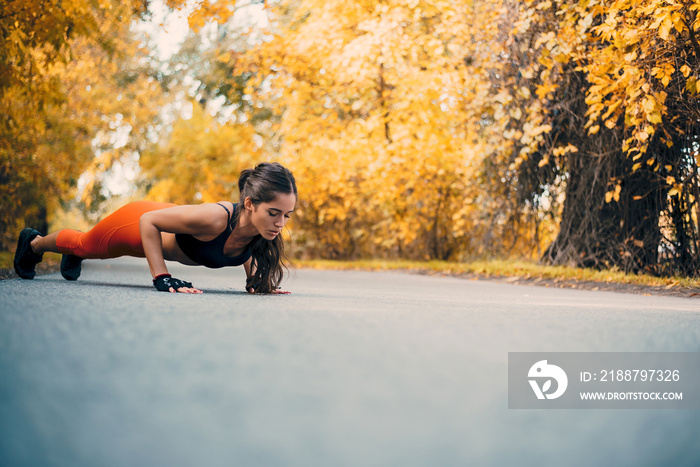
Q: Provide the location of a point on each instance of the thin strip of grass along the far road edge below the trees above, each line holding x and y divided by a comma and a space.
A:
507, 268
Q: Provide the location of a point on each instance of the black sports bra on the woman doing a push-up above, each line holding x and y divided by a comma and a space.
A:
211, 253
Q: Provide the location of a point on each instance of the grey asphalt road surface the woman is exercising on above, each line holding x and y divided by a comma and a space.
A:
352, 369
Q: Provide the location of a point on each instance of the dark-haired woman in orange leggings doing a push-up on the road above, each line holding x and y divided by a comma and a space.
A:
212, 234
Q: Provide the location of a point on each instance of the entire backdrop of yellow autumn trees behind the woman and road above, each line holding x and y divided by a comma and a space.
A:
565, 131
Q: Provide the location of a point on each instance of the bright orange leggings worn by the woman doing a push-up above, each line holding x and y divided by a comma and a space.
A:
116, 235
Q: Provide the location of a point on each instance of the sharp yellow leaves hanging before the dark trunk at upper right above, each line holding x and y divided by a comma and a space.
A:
630, 52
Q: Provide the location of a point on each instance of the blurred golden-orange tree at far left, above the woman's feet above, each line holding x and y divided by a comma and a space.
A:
74, 85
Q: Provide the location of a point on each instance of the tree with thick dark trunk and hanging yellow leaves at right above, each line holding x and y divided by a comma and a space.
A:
615, 84
